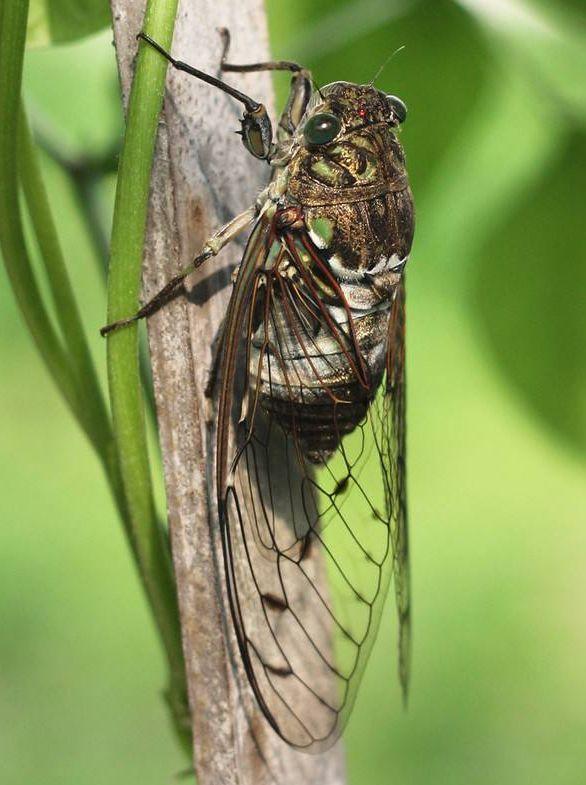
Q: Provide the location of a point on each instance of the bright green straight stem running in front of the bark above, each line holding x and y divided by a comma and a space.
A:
128, 229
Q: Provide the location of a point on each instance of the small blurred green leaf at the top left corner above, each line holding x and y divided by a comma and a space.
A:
62, 21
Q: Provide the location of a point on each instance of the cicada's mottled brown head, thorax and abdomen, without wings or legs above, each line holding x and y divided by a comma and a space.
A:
358, 183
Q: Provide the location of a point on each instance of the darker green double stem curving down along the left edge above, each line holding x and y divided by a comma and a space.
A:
79, 385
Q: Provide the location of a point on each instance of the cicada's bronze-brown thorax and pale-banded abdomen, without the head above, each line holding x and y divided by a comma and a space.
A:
341, 237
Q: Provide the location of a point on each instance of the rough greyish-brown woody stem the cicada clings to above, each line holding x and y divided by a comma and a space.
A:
202, 177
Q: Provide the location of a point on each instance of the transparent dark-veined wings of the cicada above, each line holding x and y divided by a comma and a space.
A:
310, 543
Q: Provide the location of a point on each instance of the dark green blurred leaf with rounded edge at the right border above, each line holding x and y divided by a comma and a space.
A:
527, 293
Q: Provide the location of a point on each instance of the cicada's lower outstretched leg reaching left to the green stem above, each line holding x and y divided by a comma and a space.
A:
212, 247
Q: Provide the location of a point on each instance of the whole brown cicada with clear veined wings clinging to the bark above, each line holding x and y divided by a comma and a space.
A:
310, 437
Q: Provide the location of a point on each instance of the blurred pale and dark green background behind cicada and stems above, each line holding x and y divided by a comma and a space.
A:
496, 147
